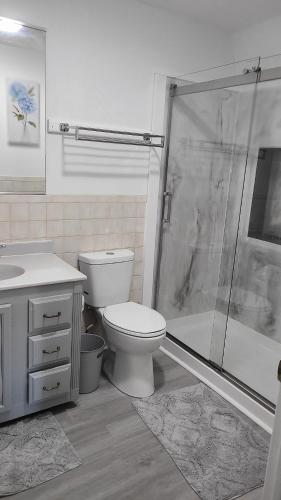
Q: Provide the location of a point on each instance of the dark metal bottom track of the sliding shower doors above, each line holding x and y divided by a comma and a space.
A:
224, 374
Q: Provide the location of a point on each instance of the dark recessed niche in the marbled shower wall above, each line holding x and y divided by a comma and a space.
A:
265, 215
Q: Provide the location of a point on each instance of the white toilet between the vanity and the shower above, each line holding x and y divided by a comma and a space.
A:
133, 331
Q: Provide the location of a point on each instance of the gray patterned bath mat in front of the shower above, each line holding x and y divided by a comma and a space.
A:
220, 452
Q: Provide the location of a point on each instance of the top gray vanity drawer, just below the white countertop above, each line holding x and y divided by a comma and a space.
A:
51, 311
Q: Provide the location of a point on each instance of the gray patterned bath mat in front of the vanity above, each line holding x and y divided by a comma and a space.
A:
33, 450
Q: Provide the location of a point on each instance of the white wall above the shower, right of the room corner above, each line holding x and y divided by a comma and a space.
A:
262, 39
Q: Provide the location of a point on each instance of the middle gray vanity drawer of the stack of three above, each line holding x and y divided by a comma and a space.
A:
49, 347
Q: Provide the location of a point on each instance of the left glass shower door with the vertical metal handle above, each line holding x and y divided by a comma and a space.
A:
207, 153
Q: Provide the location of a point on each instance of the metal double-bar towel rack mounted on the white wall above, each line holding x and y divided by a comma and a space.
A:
81, 133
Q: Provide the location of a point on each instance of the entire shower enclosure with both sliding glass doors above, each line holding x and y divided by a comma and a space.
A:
219, 264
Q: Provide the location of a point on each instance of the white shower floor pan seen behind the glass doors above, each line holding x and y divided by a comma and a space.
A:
249, 356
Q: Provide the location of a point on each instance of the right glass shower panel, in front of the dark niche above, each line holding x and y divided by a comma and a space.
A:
253, 336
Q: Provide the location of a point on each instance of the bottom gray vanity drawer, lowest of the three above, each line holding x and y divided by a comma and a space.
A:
48, 384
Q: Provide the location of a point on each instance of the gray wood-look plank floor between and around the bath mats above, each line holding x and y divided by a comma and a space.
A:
122, 460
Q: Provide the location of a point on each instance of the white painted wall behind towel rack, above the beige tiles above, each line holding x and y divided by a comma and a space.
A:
101, 60
